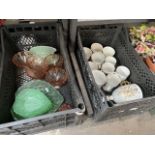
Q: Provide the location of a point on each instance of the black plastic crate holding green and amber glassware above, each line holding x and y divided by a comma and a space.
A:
15, 38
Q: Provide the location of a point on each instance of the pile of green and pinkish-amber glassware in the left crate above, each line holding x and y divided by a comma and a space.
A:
44, 69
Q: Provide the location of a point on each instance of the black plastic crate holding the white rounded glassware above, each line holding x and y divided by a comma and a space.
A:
113, 35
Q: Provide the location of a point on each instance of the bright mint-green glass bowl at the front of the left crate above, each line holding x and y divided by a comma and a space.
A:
30, 103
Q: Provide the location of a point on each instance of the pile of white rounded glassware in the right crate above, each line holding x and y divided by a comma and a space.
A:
110, 77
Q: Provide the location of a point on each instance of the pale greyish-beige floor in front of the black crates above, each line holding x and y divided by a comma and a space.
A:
133, 124
